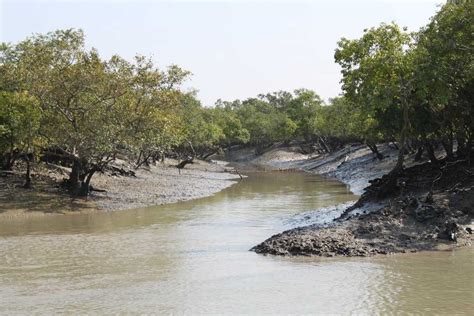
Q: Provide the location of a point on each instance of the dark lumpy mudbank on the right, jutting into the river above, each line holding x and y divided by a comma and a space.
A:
430, 210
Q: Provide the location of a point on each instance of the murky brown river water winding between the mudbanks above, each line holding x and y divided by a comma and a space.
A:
193, 258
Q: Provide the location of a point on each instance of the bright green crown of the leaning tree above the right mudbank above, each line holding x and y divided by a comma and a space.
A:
376, 78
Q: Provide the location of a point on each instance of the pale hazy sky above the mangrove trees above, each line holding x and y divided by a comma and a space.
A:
235, 49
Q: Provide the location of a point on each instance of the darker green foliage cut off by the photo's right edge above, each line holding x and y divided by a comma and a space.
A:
444, 79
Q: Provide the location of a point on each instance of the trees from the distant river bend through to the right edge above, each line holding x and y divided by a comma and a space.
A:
413, 89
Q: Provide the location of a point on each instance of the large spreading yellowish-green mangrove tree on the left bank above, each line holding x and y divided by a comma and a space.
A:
92, 108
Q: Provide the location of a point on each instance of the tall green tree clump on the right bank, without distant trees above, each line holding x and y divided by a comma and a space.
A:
417, 86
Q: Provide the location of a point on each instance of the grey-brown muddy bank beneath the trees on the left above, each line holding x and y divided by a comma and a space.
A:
155, 185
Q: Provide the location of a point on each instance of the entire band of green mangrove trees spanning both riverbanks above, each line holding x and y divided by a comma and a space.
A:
64, 103
